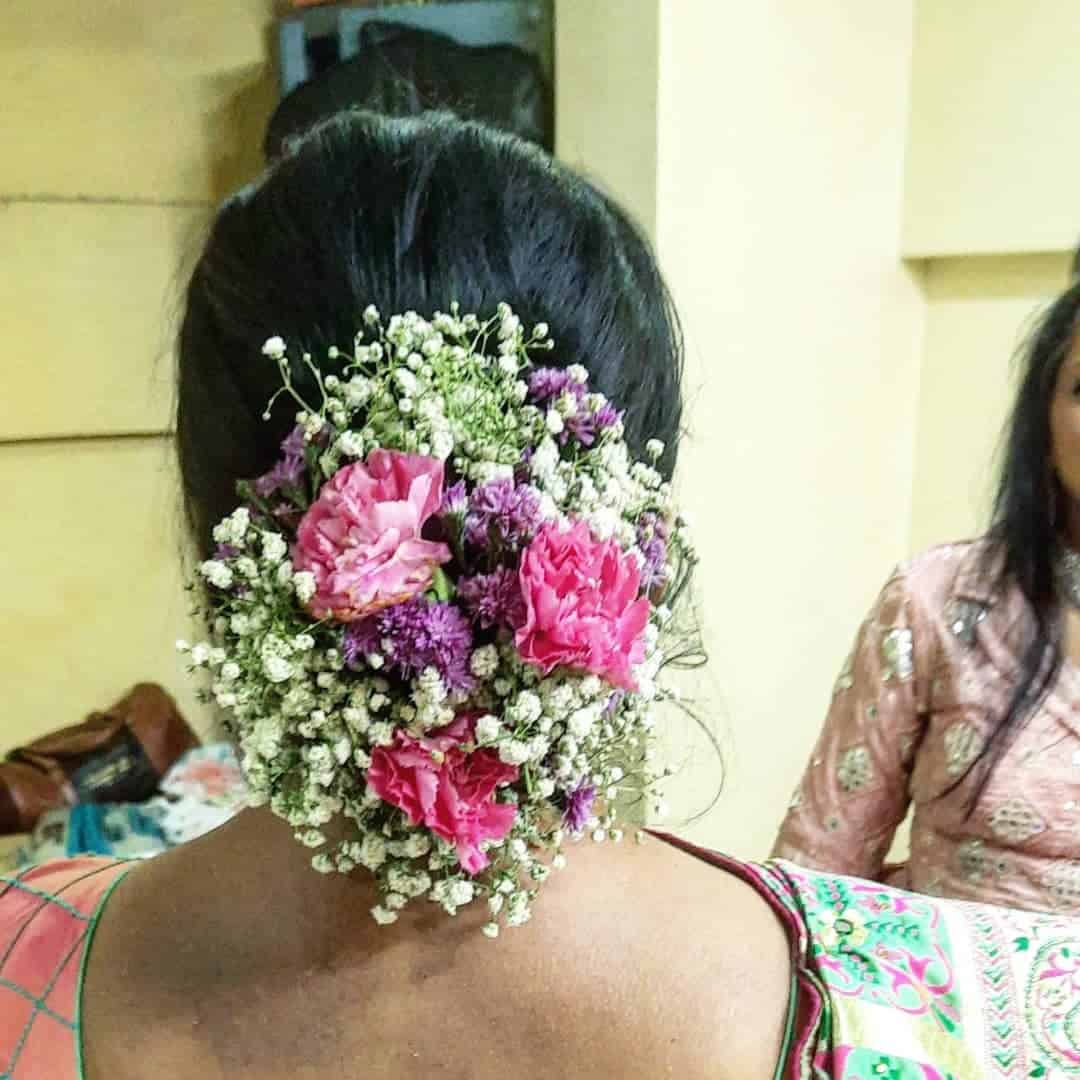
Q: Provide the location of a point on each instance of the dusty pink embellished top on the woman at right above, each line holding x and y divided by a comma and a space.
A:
930, 674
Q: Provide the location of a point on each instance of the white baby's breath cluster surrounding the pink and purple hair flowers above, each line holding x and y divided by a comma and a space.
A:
307, 722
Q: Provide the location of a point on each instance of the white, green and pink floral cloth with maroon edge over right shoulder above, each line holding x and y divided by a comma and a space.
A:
894, 985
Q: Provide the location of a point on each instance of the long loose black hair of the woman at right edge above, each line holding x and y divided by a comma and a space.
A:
1024, 525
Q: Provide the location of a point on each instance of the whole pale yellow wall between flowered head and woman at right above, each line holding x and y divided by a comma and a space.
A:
845, 409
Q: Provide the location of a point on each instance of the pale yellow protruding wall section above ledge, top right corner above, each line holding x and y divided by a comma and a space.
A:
994, 164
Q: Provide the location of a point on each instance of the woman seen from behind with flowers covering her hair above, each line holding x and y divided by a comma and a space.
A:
439, 624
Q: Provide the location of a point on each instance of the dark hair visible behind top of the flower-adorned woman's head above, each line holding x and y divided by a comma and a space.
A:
403, 72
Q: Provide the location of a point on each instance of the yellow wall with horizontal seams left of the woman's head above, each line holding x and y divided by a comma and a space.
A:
121, 126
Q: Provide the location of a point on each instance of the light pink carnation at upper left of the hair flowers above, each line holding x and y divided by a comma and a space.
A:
361, 538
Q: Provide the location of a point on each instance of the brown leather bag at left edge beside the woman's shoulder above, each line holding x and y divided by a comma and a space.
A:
115, 757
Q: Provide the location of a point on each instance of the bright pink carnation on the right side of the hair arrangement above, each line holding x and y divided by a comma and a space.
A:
583, 605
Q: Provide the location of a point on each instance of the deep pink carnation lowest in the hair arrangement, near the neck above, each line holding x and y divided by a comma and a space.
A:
438, 785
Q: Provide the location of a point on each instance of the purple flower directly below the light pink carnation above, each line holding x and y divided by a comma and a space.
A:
413, 637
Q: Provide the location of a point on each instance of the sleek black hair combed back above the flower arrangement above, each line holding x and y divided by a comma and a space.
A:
410, 215
